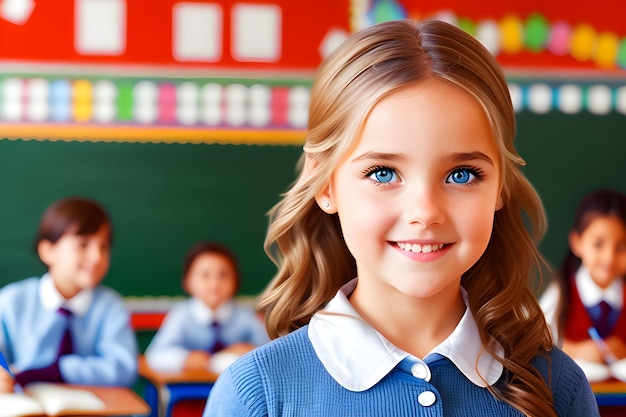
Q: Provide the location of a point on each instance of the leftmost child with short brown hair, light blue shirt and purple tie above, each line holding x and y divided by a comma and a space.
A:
65, 326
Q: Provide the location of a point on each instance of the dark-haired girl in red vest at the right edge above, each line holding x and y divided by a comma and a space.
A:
589, 291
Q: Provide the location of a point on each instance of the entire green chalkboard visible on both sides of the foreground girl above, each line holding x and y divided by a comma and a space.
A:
163, 197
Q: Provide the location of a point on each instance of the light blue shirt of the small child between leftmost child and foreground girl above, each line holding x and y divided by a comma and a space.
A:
187, 327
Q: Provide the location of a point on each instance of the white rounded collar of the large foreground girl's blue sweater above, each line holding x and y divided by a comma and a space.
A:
358, 357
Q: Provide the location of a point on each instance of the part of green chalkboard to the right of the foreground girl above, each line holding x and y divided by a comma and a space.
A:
568, 156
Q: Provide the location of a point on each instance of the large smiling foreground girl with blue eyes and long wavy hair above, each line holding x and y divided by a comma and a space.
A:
411, 184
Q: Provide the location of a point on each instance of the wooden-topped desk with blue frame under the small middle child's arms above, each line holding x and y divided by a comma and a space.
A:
186, 385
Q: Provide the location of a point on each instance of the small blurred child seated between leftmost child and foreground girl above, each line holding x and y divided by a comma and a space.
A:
210, 329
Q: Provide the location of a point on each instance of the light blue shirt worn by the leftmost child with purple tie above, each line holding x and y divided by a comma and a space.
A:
104, 348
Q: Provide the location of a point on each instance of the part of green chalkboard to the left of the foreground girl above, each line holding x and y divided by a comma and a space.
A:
161, 197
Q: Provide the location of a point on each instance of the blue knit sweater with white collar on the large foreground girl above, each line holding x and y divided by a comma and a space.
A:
339, 365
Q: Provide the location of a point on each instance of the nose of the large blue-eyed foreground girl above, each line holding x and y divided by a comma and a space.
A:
425, 206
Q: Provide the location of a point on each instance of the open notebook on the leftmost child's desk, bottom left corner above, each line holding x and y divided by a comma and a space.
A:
49, 399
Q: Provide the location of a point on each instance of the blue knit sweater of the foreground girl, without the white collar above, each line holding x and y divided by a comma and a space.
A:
285, 378
